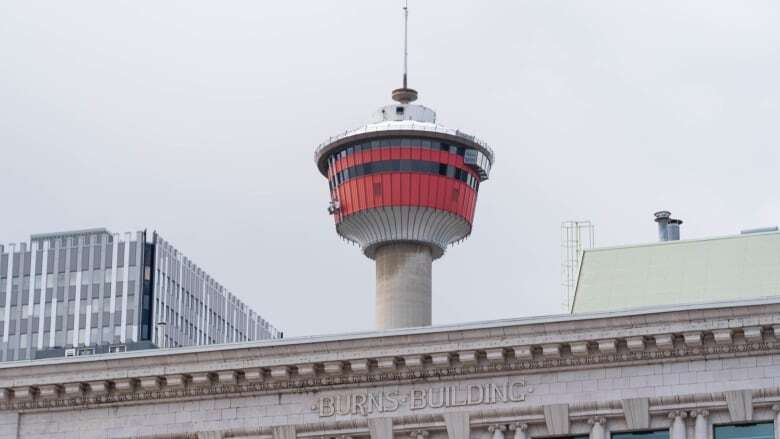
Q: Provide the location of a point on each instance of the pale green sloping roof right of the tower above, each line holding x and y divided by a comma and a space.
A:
679, 272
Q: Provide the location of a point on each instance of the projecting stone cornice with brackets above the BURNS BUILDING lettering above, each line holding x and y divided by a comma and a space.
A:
392, 359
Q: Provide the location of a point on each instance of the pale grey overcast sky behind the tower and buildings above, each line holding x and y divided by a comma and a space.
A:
199, 119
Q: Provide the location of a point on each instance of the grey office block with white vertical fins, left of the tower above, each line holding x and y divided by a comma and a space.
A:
91, 291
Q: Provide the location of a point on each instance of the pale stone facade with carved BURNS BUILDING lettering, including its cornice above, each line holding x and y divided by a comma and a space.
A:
683, 369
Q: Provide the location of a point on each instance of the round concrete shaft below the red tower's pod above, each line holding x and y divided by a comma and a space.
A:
403, 285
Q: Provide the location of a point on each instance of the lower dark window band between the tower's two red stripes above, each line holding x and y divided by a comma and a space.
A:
420, 166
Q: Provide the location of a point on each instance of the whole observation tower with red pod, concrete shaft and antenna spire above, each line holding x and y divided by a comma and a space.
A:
404, 187
